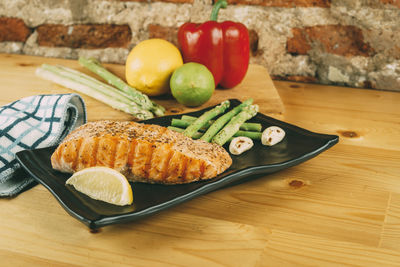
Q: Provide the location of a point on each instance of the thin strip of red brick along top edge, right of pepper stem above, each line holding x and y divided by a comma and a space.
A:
283, 3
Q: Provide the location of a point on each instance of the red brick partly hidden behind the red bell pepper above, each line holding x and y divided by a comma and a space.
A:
170, 34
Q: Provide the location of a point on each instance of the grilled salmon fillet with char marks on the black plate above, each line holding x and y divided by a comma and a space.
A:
142, 152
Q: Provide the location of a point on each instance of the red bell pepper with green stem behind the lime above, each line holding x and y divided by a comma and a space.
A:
222, 47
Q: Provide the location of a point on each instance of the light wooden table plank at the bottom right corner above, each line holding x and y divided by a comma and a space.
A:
305, 250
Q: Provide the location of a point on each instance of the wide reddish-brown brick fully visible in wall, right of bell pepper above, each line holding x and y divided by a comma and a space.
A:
335, 39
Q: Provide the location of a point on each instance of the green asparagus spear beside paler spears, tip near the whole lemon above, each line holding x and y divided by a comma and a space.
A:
140, 98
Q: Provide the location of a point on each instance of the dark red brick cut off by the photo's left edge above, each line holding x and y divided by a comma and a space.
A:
13, 30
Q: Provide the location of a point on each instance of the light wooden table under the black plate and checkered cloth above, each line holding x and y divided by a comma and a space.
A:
340, 208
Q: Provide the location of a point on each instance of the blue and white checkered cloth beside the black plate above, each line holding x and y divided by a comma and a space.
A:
34, 122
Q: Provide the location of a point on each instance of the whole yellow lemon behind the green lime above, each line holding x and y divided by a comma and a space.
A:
150, 65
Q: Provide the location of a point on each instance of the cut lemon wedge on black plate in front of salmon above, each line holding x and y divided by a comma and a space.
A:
102, 183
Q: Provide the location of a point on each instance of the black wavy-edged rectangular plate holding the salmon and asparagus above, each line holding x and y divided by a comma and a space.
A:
298, 146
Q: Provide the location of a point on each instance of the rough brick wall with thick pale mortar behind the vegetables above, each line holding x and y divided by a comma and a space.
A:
352, 43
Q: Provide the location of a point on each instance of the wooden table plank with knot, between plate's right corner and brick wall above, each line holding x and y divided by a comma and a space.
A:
368, 118
